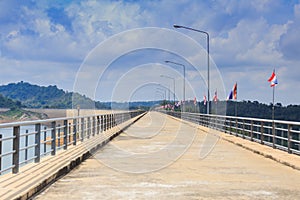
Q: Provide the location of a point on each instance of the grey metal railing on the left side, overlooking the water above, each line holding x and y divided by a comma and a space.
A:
25, 142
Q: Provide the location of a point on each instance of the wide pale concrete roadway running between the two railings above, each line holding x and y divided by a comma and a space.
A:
159, 158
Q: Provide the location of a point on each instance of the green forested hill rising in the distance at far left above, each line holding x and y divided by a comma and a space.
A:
35, 96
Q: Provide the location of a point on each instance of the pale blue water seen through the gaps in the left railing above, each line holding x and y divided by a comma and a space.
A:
7, 145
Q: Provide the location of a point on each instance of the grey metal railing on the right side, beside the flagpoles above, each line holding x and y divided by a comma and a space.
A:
284, 135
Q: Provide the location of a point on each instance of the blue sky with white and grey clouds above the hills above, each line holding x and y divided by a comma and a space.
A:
115, 50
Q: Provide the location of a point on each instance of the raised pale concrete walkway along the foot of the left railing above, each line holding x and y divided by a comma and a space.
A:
35, 176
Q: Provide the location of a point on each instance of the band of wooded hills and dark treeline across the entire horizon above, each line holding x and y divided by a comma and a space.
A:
22, 94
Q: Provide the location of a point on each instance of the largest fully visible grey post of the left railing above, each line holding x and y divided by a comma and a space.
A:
16, 146
